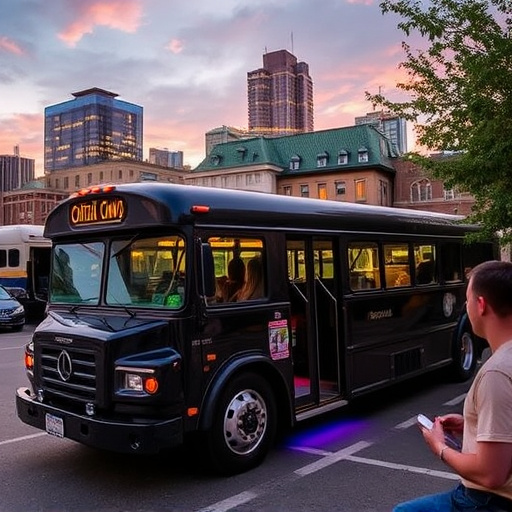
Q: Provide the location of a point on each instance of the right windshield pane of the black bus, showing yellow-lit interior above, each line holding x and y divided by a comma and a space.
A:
148, 272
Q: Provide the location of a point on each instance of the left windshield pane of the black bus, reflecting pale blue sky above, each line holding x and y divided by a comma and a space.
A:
76, 274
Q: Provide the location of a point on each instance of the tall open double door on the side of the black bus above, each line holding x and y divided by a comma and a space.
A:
316, 326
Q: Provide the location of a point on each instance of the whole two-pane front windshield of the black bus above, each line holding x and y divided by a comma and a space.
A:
148, 272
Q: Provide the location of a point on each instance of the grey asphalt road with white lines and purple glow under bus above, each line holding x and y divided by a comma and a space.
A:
365, 457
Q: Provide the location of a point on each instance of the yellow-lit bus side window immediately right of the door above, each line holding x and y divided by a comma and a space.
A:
363, 260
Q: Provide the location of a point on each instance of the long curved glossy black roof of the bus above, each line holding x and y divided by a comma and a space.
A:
155, 204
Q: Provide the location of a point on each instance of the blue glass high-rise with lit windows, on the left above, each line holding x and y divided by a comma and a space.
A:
93, 127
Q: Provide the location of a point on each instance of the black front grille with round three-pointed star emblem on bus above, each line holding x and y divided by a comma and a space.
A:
69, 373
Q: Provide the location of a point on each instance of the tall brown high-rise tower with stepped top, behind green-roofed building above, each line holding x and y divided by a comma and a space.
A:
280, 96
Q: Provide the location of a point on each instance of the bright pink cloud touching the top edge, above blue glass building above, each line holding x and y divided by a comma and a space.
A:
121, 15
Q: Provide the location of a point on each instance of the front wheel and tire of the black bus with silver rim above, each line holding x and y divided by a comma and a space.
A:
244, 425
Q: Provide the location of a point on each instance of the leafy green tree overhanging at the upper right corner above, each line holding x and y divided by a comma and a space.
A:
459, 87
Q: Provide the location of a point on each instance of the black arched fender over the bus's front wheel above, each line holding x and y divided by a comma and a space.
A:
247, 362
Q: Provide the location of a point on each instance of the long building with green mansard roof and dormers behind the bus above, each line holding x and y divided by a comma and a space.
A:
353, 163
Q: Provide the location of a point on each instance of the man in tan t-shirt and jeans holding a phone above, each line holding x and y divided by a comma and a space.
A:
485, 462
